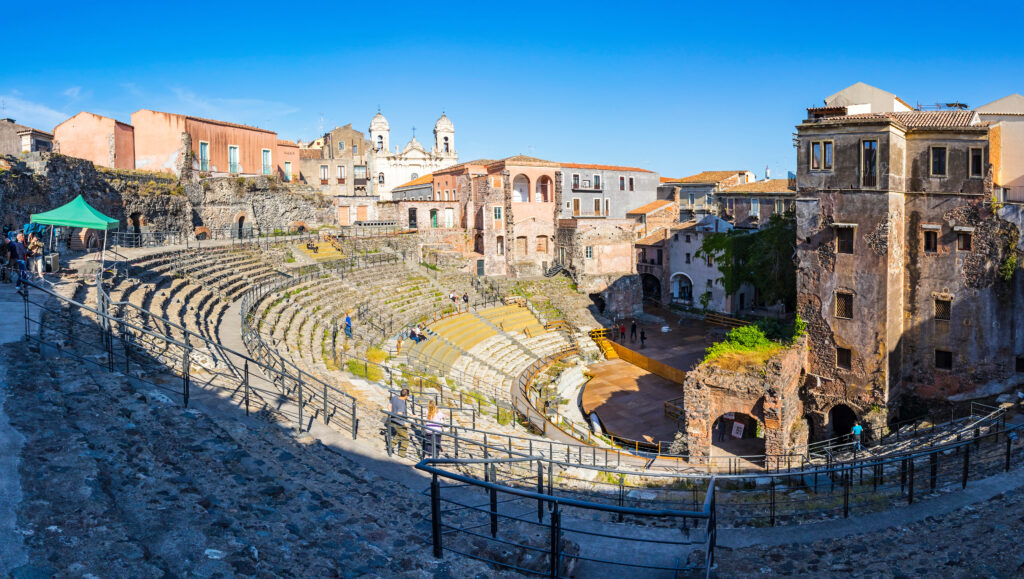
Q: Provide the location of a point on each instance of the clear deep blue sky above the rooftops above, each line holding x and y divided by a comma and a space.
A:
674, 89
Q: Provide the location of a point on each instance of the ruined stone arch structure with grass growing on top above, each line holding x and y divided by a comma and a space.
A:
771, 394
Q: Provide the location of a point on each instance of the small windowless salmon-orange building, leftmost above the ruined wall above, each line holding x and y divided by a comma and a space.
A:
106, 142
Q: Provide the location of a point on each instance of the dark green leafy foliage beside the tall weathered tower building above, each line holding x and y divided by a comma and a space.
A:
763, 259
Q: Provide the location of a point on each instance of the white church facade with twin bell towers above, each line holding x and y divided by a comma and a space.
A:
394, 168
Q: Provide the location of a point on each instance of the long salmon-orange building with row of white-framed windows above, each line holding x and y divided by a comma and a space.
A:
218, 147
